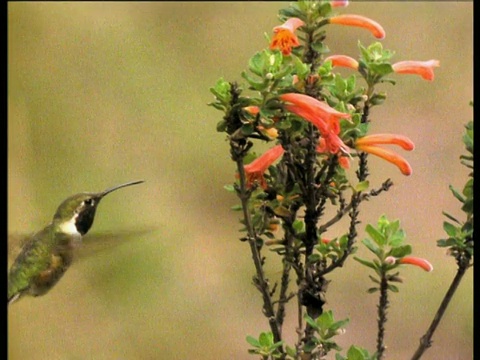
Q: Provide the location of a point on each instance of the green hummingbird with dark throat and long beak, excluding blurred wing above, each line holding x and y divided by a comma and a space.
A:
48, 254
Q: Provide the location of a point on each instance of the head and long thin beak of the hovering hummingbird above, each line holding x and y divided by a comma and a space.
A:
79, 209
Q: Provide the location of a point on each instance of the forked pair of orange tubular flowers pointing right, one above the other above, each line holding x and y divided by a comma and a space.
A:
368, 144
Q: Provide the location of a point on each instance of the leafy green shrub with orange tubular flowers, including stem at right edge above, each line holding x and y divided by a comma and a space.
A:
319, 124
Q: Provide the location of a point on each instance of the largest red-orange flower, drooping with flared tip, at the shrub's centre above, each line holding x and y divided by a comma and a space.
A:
320, 114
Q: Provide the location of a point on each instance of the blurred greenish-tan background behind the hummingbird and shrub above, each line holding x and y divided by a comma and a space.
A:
101, 93
